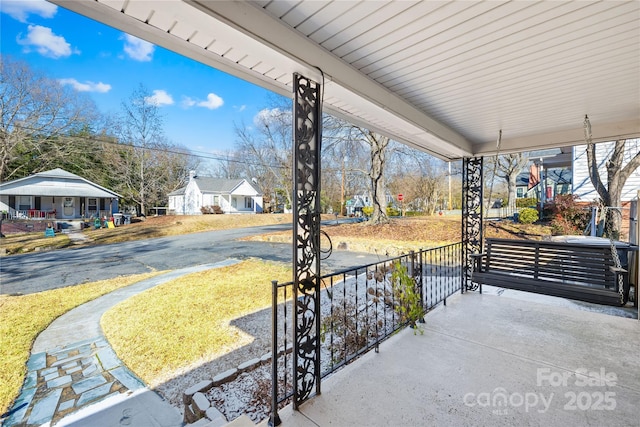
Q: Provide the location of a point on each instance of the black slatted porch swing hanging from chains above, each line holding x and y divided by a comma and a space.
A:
569, 270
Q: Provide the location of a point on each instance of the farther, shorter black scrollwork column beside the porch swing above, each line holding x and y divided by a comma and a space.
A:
471, 215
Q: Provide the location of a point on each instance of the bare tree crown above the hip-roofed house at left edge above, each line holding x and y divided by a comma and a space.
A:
35, 112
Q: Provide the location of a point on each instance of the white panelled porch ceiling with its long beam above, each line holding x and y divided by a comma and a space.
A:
442, 76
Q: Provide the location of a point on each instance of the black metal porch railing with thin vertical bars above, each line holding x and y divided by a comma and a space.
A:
358, 310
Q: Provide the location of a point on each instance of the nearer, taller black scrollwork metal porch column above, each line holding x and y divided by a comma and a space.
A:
307, 128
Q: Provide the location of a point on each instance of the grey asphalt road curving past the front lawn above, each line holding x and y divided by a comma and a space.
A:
35, 272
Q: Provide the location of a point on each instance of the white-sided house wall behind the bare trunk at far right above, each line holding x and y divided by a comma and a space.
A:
582, 186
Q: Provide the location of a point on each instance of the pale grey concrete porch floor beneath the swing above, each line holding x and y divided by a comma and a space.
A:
489, 360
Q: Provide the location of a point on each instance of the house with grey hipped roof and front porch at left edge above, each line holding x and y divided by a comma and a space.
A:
56, 194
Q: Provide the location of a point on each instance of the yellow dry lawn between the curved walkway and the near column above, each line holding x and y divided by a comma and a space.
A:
186, 322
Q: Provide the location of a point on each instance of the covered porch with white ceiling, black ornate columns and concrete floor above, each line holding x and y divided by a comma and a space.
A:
460, 80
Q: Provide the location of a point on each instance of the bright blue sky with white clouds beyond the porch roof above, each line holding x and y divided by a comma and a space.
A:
199, 104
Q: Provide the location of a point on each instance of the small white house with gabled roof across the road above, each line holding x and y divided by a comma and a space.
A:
231, 195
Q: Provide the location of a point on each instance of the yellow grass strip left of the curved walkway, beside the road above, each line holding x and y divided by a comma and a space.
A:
23, 317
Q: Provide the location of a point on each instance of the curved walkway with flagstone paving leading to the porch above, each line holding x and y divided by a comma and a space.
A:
72, 367
